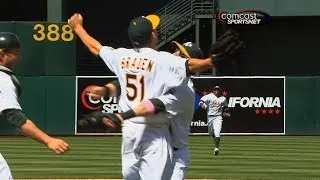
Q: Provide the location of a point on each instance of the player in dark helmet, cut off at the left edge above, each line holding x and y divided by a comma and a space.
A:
10, 109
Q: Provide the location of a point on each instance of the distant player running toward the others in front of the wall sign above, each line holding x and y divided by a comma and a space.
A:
217, 107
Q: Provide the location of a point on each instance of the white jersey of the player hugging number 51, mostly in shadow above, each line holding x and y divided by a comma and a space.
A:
180, 105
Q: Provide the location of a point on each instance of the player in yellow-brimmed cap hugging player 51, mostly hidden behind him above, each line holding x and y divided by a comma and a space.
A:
181, 112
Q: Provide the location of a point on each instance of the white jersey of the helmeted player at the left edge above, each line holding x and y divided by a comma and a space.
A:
8, 93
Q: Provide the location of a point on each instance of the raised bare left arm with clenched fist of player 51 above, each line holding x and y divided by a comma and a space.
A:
92, 44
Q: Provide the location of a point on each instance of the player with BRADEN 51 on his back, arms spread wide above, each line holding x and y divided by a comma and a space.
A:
143, 73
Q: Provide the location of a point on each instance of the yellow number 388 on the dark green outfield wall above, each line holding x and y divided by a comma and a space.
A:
52, 33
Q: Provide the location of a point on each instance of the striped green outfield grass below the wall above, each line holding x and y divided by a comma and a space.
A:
241, 157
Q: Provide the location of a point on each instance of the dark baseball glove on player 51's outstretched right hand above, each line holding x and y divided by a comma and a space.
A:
227, 45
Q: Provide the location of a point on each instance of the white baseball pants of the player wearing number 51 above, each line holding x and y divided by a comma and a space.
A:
146, 152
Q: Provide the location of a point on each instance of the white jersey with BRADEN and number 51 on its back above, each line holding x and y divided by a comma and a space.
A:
144, 74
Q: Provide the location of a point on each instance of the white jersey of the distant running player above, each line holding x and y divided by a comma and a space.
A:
214, 104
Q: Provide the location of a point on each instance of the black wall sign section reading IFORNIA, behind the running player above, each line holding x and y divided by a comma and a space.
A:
256, 104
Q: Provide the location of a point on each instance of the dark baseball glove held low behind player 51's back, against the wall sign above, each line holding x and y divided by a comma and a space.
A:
98, 119
